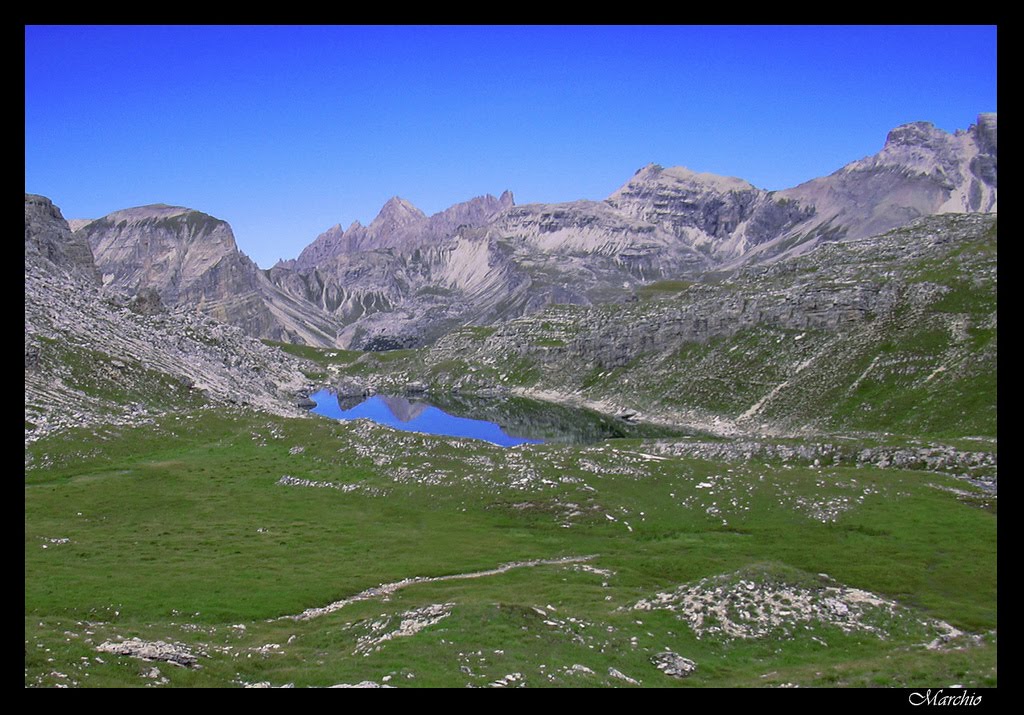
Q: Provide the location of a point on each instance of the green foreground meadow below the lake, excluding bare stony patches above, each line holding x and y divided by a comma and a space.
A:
180, 533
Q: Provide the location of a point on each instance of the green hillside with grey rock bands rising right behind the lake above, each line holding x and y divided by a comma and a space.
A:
894, 333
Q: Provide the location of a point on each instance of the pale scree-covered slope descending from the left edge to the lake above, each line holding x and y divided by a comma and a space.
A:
96, 355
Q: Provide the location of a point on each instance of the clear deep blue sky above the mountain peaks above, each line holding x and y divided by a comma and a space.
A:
284, 132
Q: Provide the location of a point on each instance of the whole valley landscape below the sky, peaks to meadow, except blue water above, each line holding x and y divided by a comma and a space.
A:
800, 489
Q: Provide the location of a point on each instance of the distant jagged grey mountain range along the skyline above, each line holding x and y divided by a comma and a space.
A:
407, 279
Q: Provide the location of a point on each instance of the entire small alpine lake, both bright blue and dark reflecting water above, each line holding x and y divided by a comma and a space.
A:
505, 420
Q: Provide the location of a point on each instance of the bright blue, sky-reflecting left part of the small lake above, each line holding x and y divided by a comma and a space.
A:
415, 416
